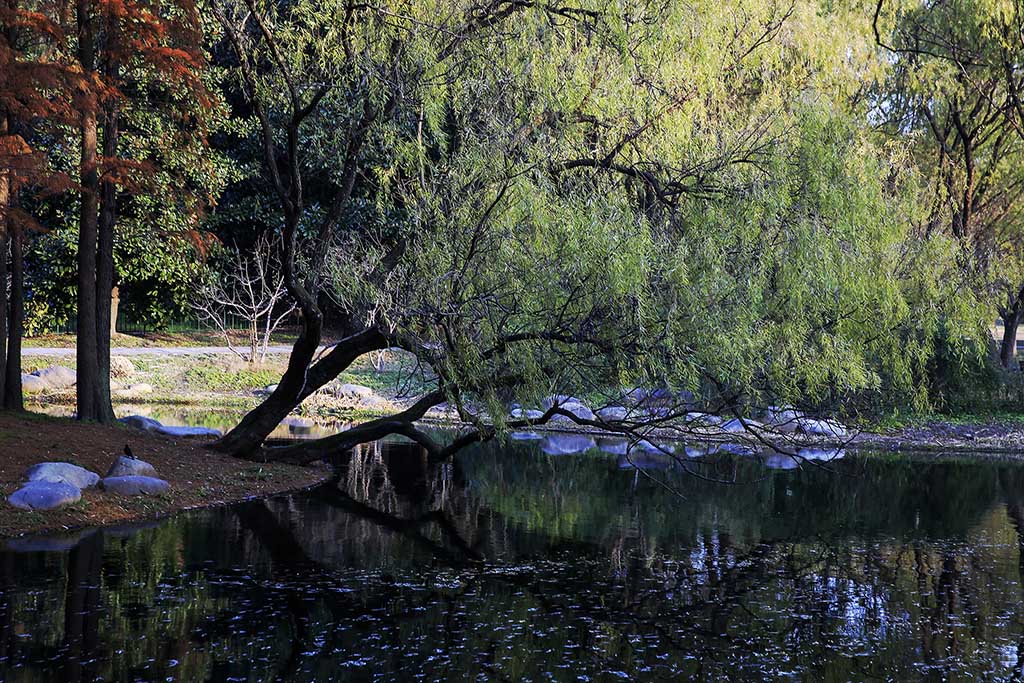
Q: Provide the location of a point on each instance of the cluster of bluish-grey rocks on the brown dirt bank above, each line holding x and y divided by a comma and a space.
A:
51, 486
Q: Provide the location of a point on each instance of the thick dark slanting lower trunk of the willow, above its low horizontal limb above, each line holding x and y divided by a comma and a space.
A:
247, 439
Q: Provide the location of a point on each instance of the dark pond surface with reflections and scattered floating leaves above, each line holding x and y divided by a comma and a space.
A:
510, 565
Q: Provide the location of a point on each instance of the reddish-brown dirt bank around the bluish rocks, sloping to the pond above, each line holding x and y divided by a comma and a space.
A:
198, 477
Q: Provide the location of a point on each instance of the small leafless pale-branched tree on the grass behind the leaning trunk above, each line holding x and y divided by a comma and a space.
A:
251, 288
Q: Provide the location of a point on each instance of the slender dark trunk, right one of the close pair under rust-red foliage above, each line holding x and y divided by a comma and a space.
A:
105, 274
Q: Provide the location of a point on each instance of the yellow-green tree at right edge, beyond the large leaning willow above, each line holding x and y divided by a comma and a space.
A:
954, 91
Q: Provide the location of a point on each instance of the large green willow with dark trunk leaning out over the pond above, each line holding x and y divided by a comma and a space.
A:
588, 196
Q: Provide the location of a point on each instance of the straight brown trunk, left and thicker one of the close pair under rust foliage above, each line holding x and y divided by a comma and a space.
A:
88, 371
